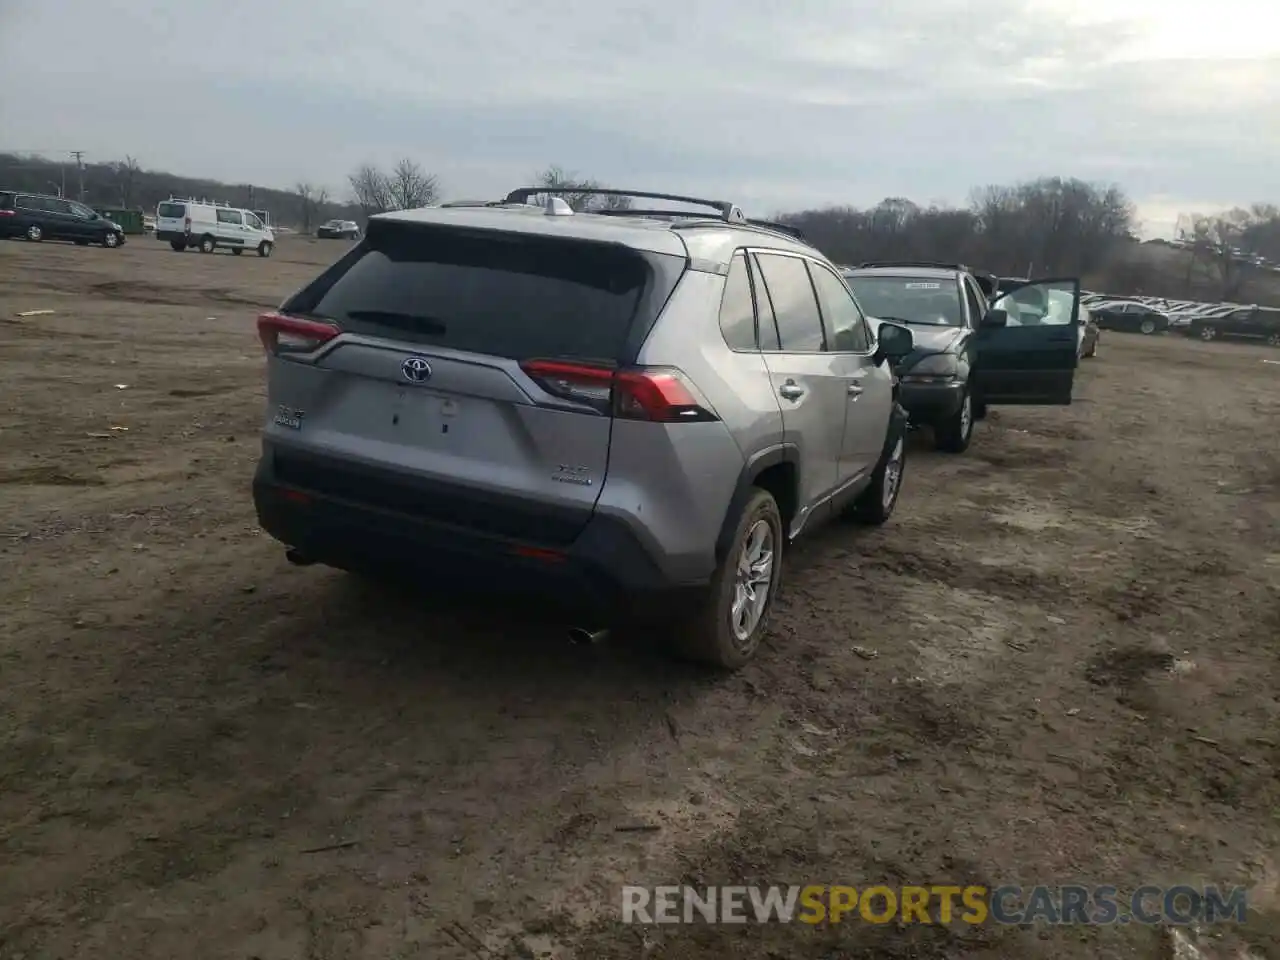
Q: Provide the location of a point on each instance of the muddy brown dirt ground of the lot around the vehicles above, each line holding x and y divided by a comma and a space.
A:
1059, 662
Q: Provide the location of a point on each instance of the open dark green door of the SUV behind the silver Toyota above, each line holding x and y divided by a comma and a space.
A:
1028, 344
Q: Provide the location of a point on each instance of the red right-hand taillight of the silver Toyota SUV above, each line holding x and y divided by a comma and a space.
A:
659, 395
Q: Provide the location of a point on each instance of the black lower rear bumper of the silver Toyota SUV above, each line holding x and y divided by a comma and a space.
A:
605, 572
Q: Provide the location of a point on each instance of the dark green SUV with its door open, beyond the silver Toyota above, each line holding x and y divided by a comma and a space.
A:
979, 340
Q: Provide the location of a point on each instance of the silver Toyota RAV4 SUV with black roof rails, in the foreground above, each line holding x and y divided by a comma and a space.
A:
636, 410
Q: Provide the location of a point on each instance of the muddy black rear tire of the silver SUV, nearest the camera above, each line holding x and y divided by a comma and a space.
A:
707, 636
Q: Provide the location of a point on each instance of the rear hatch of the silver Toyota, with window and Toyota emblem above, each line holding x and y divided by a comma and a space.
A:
460, 377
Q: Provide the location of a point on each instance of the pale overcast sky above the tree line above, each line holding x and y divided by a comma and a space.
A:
774, 106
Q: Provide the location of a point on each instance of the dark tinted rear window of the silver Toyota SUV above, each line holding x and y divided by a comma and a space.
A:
496, 294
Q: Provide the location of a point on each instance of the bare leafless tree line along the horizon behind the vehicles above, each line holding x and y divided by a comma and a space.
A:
1049, 226
